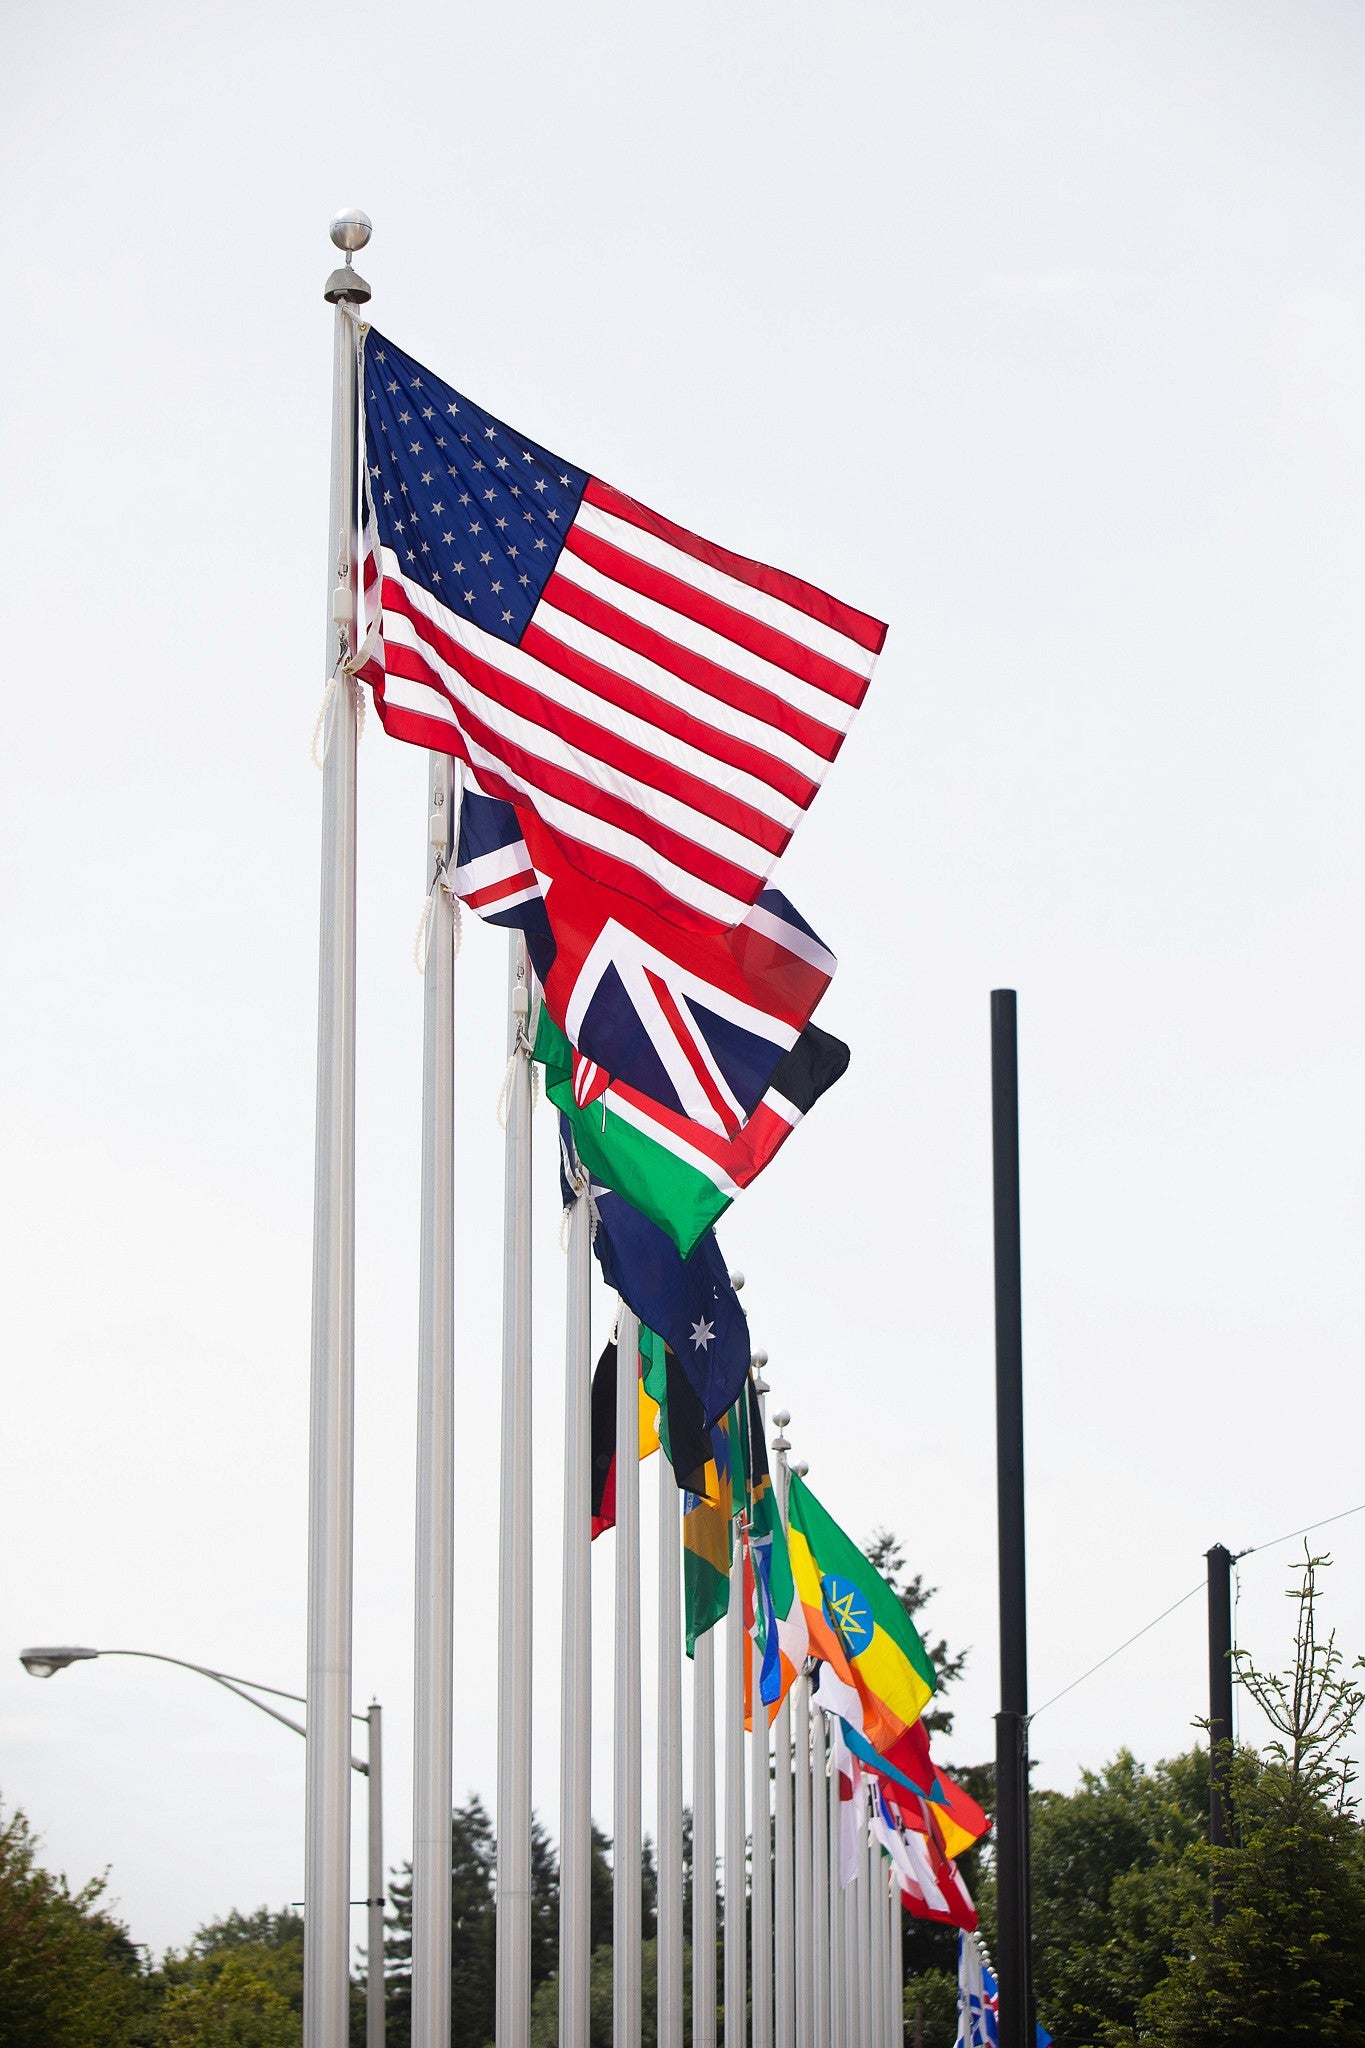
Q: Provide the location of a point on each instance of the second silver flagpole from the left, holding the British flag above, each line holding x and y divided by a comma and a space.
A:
435, 1594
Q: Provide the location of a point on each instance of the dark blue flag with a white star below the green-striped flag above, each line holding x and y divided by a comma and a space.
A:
689, 1302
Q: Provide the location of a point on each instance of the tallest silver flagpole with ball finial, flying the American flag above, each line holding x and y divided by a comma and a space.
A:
333, 1385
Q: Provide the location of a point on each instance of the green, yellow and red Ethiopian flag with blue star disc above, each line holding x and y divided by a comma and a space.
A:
856, 1623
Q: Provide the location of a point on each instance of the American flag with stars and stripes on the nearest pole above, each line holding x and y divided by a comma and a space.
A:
666, 708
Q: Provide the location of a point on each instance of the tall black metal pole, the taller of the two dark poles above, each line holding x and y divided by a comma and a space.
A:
1012, 1725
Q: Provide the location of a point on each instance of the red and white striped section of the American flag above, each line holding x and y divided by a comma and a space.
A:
670, 714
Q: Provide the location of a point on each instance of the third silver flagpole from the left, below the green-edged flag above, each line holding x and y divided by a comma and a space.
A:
513, 1977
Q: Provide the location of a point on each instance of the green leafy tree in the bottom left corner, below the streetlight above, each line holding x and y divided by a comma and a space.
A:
69, 1973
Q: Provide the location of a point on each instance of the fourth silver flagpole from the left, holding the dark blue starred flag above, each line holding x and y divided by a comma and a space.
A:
576, 1648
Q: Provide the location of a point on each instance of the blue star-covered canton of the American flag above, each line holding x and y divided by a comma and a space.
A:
474, 511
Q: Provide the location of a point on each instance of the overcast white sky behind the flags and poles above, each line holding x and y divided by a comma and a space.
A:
1034, 331
